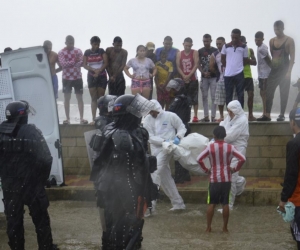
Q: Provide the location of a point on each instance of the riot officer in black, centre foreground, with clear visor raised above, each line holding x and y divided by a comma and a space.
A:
121, 174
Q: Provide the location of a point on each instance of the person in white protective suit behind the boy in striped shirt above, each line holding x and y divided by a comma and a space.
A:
237, 134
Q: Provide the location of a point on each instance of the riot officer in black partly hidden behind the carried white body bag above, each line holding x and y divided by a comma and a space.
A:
181, 106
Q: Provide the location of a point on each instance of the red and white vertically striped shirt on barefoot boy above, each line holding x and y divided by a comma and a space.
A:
220, 155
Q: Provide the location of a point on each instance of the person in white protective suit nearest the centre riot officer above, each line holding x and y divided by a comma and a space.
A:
164, 126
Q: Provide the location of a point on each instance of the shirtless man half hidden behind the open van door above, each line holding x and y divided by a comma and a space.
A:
53, 59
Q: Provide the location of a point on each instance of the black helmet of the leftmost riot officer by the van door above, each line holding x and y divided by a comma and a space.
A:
16, 110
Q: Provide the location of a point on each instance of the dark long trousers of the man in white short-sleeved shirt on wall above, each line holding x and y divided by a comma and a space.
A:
236, 81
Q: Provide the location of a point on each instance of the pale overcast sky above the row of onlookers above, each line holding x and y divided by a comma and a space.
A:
28, 23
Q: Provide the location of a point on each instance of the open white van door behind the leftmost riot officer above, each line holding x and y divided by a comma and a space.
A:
32, 82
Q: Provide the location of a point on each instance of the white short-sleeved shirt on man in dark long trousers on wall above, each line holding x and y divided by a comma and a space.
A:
234, 58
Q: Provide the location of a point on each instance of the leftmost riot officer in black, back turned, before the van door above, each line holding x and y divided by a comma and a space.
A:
25, 164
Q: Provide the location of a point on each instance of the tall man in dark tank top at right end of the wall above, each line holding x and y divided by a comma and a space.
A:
282, 49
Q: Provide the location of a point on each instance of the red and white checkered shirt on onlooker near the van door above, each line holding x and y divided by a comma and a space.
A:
71, 62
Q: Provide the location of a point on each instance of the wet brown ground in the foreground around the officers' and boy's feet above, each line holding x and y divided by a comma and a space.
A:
76, 226
